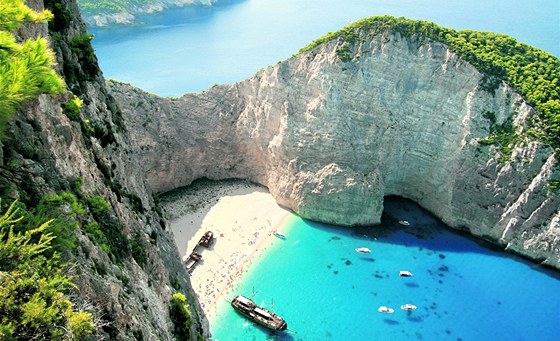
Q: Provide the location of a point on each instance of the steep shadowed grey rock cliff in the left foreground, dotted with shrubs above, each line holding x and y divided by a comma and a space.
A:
44, 151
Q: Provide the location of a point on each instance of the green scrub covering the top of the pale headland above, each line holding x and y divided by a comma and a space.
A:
532, 72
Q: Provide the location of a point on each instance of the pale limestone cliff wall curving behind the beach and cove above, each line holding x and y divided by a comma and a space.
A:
331, 136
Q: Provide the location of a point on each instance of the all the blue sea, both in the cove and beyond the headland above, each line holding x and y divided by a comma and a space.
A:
324, 289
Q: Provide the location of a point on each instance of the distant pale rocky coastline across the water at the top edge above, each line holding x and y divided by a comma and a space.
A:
130, 15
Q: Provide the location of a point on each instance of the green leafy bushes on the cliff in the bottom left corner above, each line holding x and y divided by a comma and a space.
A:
33, 304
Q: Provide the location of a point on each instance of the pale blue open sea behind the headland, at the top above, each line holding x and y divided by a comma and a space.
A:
191, 49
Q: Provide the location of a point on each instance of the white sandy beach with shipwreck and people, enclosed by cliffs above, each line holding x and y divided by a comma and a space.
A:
242, 217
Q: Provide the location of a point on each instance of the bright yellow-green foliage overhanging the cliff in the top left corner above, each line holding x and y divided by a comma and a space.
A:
25, 67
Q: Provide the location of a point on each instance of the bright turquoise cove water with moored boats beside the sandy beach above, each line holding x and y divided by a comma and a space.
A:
327, 291
